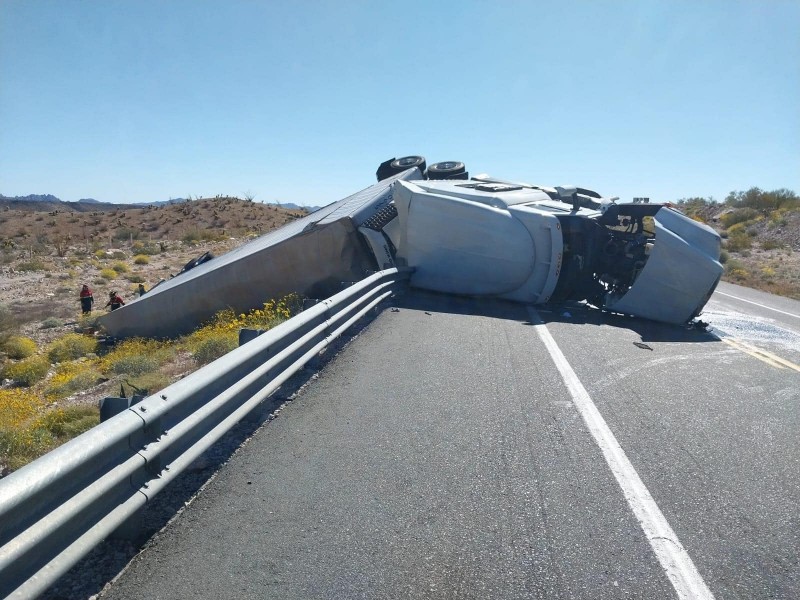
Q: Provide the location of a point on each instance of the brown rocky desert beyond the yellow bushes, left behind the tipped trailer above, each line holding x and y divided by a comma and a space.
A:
46, 255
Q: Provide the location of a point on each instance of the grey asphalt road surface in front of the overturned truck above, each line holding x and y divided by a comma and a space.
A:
461, 449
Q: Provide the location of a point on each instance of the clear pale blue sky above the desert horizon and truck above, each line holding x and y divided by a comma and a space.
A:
140, 101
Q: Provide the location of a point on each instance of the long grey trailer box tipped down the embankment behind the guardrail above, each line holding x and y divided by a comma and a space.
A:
311, 256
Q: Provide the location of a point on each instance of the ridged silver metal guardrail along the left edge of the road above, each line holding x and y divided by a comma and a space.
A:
56, 509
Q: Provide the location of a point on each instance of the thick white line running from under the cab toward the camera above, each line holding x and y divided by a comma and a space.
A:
674, 558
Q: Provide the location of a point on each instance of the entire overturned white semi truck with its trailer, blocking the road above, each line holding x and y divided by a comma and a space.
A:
477, 236
